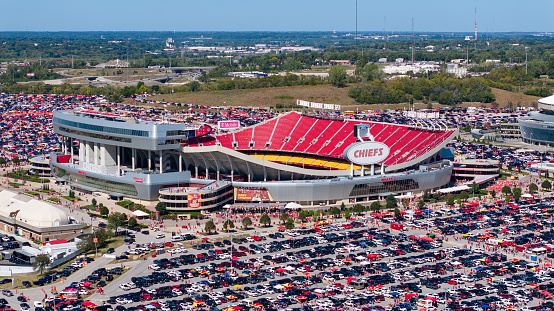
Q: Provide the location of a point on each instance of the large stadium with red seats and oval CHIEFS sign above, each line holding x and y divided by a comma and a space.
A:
310, 159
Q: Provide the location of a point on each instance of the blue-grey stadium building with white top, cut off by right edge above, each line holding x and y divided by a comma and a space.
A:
538, 127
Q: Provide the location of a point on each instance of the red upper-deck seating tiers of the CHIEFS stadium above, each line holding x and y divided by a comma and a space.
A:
299, 134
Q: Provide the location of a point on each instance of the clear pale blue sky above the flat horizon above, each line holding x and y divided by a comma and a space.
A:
279, 15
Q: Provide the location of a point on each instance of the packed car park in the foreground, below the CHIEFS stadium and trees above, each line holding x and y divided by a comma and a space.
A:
442, 261
